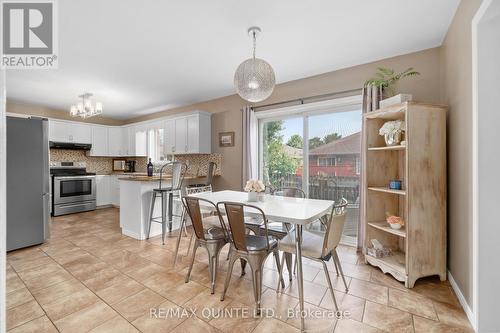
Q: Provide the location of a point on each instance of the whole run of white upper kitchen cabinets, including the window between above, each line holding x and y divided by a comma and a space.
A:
189, 134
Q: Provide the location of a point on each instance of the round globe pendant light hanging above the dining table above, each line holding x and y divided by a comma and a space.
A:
254, 79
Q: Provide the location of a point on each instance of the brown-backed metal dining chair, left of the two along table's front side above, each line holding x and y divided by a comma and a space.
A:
212, 238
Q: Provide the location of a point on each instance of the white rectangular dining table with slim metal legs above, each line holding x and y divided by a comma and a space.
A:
297, 211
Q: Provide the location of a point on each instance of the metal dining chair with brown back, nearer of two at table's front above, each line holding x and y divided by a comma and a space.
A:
254, 249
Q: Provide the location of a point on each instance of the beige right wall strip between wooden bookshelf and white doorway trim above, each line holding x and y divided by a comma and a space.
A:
456, 91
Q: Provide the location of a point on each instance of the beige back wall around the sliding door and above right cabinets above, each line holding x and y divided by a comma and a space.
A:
227, 114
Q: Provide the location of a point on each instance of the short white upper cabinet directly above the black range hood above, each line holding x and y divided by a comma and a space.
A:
61, 131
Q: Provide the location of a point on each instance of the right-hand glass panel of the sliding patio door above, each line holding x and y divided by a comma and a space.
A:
334, 163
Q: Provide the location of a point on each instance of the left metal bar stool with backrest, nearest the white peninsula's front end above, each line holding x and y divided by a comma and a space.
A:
167, 197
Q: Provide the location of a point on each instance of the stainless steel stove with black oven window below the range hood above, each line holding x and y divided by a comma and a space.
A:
73, 189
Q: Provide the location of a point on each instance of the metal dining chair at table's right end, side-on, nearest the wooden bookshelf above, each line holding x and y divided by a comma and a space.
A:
321, 246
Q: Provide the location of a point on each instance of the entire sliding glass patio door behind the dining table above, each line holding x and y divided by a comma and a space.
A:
318, 151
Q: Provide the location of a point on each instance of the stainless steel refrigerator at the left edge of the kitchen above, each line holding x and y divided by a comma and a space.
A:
28, 179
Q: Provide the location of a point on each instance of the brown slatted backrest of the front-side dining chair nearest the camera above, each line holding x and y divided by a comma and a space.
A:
235, 214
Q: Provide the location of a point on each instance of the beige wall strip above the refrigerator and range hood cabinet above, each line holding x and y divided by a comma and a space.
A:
35, 110
